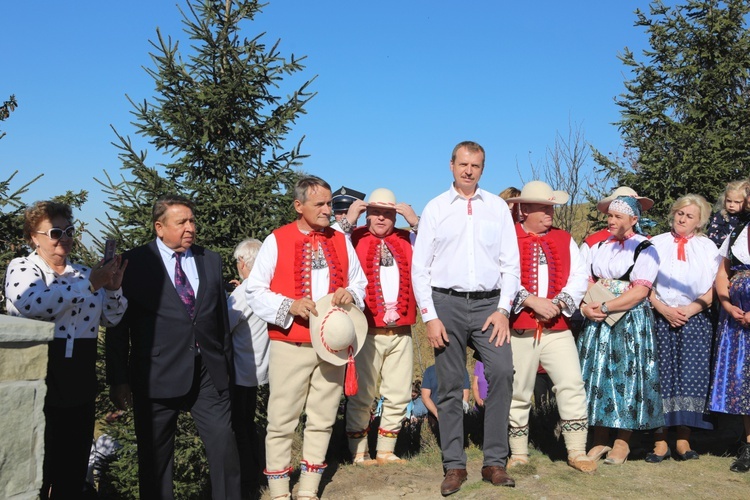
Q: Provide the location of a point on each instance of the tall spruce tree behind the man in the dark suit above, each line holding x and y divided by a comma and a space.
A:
219, 128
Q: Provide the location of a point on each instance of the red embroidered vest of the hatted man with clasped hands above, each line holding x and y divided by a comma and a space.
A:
556, 246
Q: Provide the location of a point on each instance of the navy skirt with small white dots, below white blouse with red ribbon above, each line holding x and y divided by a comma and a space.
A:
685, 370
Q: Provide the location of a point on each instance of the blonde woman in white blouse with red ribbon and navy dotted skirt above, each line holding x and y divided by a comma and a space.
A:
681, 297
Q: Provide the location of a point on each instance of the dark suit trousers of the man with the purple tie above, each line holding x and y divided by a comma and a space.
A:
155, 427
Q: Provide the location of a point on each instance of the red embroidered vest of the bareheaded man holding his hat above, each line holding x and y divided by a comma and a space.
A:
293, 275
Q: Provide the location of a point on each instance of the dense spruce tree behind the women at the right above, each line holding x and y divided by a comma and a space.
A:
684, 113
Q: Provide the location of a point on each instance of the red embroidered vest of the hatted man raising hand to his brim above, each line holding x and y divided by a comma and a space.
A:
367, 246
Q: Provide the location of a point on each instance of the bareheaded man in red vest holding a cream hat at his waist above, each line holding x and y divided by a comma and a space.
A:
298, 265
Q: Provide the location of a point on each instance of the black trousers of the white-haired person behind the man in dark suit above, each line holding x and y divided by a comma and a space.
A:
244, 402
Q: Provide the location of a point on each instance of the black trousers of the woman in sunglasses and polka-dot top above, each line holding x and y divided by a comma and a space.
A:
68, 435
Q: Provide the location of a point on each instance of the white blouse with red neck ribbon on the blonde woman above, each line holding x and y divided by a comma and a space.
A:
681, 282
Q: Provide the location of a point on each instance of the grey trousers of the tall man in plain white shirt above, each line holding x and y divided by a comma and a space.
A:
463, 320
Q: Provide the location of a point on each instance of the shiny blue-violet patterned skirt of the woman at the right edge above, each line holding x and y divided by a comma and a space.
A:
730, 387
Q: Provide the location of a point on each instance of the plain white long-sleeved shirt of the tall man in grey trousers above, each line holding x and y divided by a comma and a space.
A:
468, 245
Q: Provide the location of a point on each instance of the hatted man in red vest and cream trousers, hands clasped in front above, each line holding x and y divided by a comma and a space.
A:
553, 283
